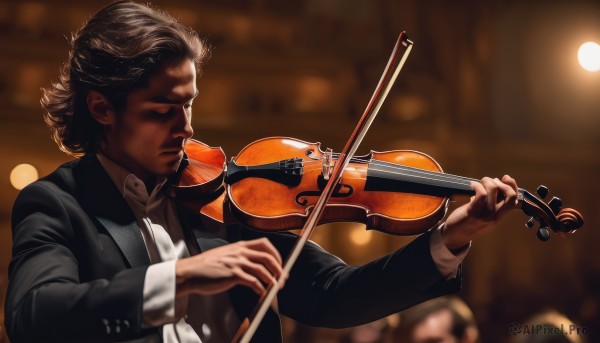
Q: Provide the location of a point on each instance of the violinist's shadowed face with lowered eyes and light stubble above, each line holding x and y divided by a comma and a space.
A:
148, 136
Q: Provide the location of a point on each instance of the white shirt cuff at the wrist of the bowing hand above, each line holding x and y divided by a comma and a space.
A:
159, 294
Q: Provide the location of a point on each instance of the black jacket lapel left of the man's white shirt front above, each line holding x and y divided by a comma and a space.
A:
101, 199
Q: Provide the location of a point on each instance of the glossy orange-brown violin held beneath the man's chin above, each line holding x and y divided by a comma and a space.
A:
273, 183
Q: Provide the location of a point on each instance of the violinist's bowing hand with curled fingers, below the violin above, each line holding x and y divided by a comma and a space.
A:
254, 263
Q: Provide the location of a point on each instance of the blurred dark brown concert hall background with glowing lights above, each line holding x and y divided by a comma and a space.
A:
491, 87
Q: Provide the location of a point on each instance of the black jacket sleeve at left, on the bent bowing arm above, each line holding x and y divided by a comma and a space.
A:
46, 300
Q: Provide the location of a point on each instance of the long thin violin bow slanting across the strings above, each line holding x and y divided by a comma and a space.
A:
397, 59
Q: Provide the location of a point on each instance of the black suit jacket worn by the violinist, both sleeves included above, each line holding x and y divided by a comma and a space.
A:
79, 263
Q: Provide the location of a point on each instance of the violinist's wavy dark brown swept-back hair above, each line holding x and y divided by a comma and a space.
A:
114, 52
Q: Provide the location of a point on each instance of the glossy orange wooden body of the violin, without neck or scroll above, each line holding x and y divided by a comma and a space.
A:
273, 203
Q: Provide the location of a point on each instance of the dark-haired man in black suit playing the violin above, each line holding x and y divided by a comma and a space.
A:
101, 253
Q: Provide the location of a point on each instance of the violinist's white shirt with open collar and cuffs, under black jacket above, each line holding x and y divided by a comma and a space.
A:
161, 230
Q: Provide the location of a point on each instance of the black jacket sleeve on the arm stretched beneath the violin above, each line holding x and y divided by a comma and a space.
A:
324, 291
